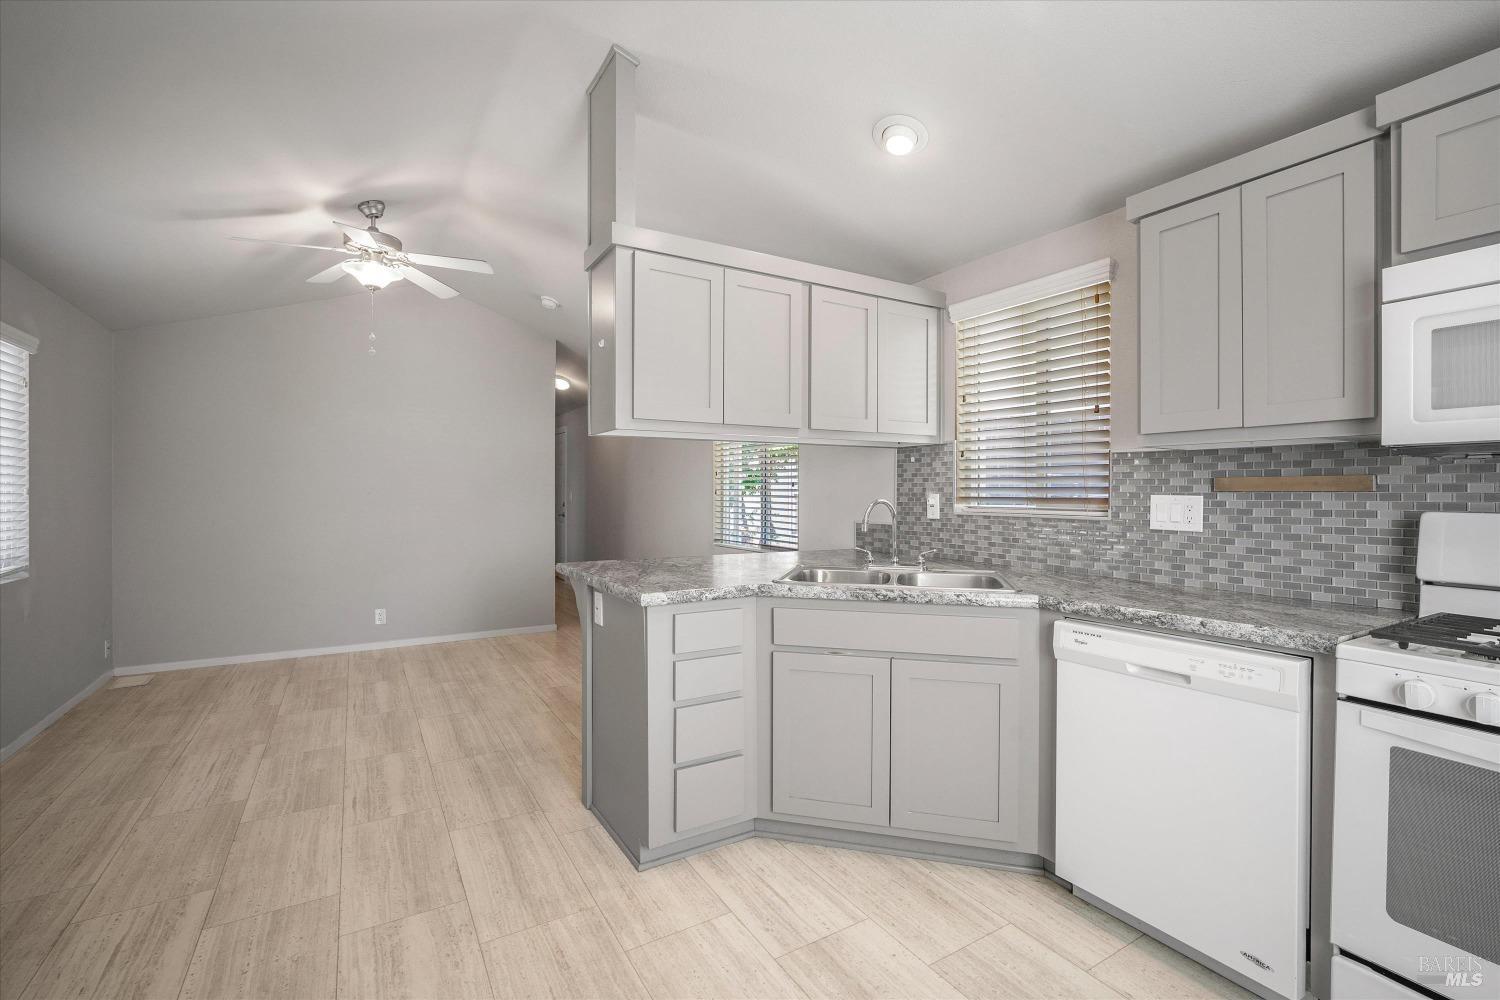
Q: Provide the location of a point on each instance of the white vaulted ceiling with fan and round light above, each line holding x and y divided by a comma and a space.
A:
136, 137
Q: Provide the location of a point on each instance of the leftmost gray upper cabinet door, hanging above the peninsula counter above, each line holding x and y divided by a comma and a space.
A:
679, 337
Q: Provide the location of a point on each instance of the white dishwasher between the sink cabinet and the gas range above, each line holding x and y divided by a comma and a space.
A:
1183, 794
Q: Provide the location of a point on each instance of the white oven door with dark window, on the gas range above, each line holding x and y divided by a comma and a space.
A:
1417, 849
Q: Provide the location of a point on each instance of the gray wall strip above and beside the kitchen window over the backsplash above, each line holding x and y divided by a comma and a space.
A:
1106, 236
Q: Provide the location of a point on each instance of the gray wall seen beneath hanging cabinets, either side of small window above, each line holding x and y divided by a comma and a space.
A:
650, 497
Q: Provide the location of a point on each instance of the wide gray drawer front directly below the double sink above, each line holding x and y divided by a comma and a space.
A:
929, 635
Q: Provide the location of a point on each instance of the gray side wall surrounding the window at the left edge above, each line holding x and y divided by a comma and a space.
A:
55, 624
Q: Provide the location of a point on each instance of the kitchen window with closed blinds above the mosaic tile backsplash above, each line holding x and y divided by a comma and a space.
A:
1034, 397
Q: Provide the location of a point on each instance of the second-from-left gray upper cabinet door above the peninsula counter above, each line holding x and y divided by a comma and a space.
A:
766, 337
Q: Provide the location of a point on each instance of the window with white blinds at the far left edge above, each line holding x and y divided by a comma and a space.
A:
16, 431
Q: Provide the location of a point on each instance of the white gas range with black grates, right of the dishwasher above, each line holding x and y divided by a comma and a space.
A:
1417, 797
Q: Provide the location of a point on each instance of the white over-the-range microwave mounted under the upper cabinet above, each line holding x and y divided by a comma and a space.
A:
1441, 352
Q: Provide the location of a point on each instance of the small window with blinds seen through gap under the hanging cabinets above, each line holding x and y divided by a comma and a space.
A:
755, 496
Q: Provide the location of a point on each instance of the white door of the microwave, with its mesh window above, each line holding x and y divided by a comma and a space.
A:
1441, 368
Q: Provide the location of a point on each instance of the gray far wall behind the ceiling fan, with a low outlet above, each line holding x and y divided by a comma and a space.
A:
275, 484
